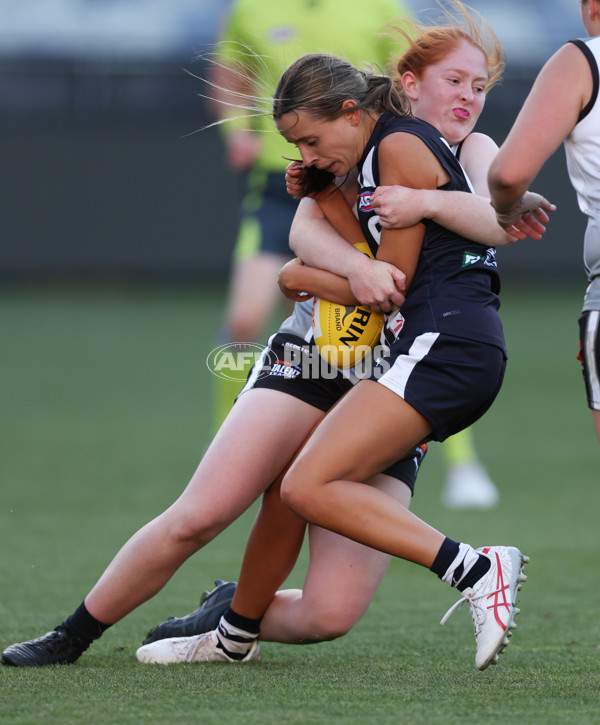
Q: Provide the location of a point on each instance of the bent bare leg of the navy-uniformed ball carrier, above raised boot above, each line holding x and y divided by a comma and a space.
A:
369, 429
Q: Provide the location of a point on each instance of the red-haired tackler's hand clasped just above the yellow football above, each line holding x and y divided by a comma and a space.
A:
378, 285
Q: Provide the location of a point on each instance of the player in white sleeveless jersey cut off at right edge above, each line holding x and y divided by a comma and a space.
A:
564, 103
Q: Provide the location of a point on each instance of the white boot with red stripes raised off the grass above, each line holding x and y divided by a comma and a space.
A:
492, 602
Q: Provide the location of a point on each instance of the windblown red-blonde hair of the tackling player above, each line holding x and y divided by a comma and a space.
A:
429, 44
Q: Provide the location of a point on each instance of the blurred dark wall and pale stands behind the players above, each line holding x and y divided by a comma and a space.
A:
104, 176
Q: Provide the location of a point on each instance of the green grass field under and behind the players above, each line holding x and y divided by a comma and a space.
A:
105, 412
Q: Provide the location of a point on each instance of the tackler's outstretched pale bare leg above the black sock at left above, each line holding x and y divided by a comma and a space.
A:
260, 435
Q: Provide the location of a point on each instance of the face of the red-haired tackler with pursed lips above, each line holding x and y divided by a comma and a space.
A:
451, 94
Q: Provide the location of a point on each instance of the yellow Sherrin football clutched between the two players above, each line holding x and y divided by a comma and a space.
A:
344, 334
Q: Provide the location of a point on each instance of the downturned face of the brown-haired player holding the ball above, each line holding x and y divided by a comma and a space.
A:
333, 145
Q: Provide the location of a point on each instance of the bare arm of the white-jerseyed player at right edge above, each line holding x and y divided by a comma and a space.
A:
548, 116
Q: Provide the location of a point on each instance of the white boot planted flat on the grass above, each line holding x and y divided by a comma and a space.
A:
200, 648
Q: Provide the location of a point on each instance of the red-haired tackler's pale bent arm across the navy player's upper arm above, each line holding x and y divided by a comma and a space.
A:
469, 215
